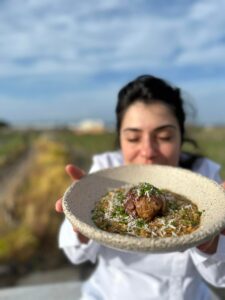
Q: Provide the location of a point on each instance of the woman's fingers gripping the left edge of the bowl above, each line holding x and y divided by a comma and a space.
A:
76, 174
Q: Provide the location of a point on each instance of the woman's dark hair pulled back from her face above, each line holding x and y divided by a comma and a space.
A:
149, 89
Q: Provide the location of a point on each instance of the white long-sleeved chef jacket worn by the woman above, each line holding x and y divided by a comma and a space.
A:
139, 276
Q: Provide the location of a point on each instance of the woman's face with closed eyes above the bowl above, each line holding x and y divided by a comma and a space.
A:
150, 134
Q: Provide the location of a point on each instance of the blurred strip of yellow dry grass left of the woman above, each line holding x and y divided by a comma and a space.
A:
36, 221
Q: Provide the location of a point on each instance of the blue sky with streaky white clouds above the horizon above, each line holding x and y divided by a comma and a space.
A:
65, 60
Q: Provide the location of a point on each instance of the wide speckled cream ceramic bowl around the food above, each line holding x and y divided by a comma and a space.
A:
80, 198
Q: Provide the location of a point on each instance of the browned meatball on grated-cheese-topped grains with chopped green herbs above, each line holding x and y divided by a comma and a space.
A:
143, 210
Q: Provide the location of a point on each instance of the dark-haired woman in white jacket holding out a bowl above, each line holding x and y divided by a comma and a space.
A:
150, 127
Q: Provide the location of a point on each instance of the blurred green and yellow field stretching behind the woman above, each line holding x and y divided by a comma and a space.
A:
33, 177
